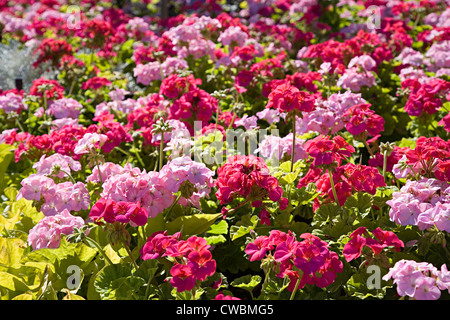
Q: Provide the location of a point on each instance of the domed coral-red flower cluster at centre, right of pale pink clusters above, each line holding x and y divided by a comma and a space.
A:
247, 177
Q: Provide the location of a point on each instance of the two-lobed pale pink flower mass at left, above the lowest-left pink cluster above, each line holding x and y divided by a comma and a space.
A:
56, 197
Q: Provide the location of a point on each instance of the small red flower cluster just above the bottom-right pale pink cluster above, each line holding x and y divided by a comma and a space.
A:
361, 238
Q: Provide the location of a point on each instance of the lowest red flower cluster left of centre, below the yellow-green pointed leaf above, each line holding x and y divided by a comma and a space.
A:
192, 258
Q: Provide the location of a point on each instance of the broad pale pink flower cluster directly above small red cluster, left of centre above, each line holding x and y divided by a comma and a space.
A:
148, 188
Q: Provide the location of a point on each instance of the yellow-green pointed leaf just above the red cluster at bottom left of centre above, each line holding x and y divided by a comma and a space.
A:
193, 224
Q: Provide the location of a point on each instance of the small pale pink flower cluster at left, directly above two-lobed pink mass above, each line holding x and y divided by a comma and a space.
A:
56, 165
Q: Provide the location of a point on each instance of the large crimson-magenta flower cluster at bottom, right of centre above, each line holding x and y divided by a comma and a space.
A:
315, 263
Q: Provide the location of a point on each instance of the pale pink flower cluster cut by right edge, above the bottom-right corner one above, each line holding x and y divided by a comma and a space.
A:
424, 203
